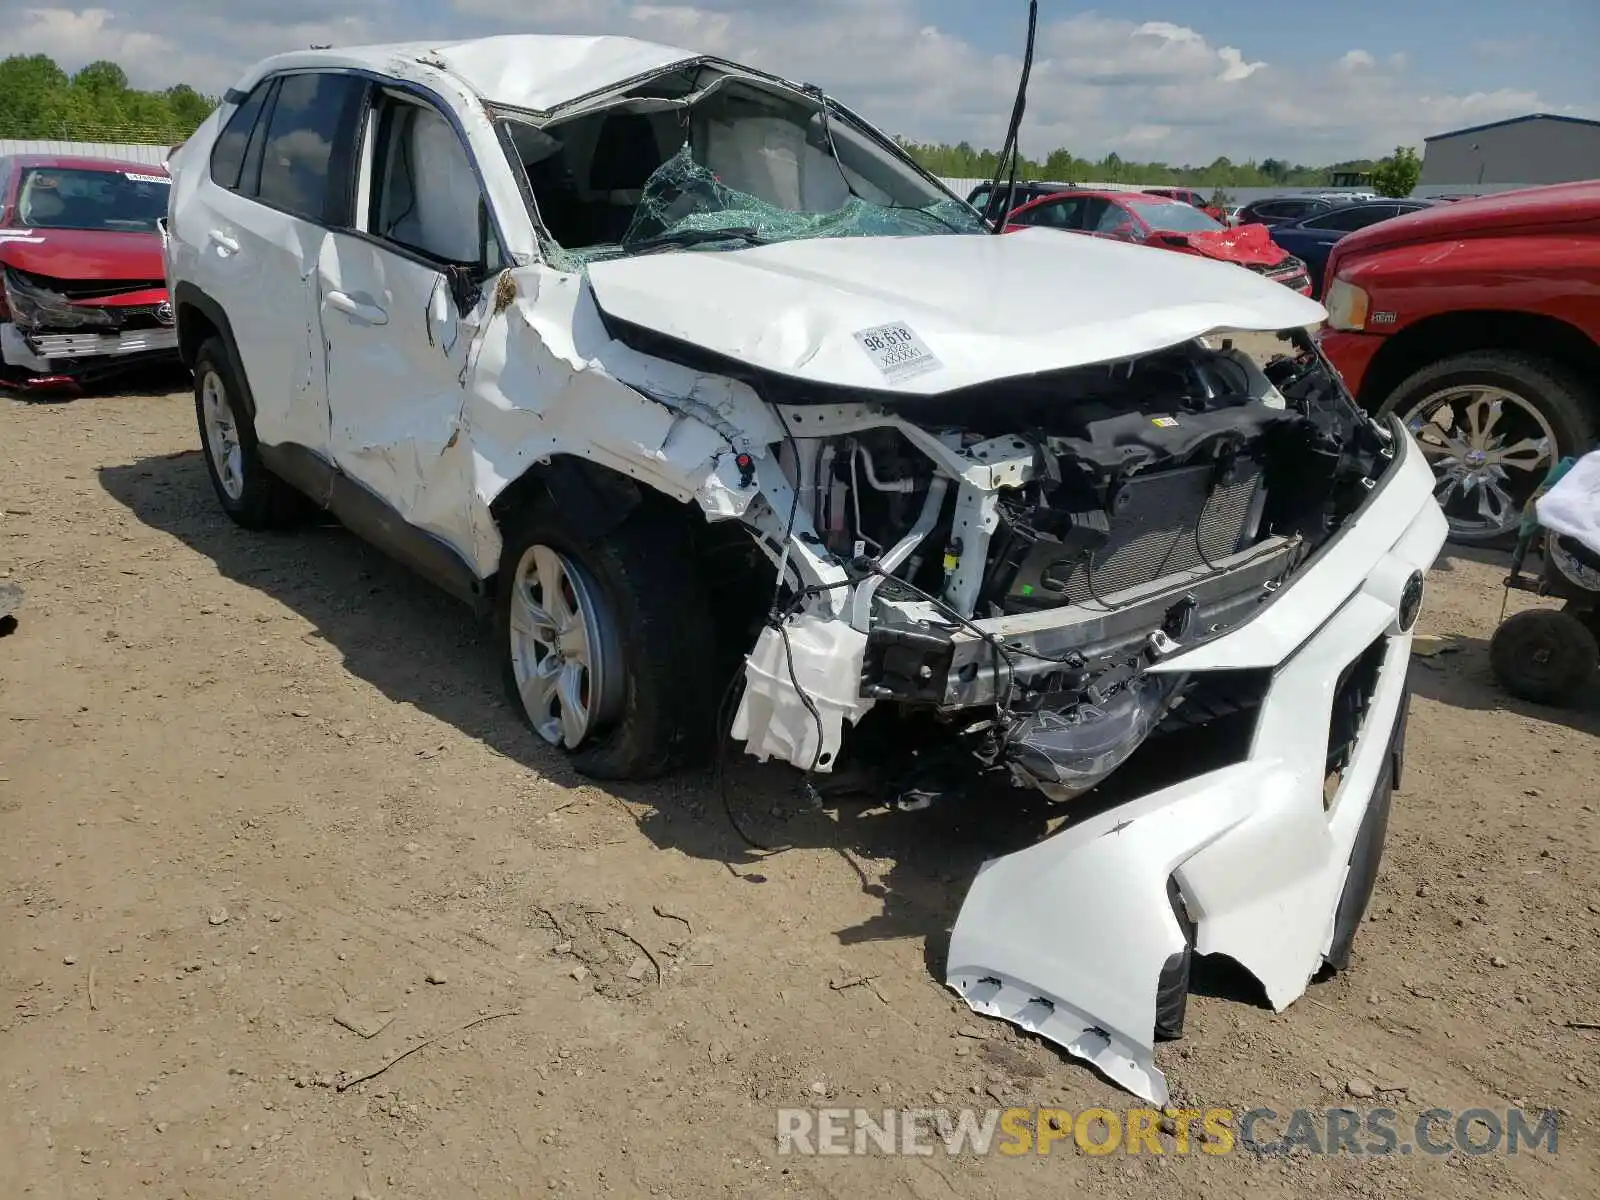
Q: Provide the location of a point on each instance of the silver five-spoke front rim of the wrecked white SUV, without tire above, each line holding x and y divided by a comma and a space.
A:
566, 649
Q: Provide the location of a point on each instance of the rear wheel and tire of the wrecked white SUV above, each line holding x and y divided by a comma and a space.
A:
247, 490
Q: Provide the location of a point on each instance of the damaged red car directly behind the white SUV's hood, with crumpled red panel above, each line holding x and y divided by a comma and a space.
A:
1170, 225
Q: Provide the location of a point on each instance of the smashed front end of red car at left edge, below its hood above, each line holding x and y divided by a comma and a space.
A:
63, 332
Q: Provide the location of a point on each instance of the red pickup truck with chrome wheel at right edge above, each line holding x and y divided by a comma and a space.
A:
1479, 322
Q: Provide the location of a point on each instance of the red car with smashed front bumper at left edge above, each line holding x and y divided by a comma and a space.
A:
84, 278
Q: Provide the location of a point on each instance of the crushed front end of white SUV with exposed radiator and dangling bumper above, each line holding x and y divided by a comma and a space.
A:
1039, 578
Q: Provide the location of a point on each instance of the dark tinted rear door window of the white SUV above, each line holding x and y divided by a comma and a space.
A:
306, 154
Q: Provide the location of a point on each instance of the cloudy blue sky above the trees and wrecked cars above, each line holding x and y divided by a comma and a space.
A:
1150, 79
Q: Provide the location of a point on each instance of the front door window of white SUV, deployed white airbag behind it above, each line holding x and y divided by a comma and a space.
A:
426, 196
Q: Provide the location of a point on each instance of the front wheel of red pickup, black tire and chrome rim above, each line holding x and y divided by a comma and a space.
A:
1492, 425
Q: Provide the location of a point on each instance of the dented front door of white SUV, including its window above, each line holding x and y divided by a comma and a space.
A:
398, 318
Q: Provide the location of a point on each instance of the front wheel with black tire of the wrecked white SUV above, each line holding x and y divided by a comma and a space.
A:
609, 647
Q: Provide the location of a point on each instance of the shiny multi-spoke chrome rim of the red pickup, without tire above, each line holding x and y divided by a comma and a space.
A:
1490, 449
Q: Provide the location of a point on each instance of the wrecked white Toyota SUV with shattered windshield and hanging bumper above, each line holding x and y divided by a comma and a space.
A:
711, 394
